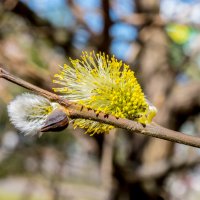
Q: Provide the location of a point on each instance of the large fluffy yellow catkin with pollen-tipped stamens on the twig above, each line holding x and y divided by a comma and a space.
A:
106, 85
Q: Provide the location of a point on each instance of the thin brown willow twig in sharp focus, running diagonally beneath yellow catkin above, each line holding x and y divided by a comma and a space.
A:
78, 111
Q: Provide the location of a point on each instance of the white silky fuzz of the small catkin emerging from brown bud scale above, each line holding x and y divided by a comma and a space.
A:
28, 113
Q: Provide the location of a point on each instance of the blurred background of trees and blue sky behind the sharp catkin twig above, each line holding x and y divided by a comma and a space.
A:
160, 40
